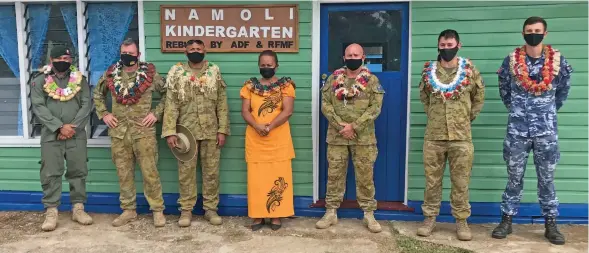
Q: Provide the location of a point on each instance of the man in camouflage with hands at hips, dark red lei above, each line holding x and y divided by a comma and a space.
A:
132, 129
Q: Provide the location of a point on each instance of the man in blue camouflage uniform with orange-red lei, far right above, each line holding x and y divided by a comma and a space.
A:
532, 123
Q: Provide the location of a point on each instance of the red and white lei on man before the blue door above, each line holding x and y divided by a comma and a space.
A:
339, 82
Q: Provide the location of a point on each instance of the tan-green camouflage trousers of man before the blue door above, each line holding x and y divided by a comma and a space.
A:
363, 158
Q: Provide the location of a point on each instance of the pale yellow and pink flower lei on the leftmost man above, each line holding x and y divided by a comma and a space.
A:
62, 94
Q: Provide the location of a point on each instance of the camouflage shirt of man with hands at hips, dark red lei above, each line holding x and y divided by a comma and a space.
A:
130, 117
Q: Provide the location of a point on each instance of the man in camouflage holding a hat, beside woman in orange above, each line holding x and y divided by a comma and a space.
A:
196, 98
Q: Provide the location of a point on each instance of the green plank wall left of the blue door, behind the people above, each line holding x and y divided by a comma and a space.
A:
19, 167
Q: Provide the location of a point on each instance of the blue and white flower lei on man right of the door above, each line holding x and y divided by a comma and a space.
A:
451, 90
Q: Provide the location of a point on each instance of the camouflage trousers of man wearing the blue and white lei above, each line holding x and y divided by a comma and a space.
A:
460, 155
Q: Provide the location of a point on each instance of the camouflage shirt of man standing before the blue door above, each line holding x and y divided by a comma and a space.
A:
360, 111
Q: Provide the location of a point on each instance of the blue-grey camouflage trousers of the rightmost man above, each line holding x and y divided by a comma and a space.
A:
516, 150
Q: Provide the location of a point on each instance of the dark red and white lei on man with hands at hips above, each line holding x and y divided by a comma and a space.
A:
138, 89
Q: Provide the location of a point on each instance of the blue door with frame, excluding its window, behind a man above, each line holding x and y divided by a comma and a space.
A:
391, 125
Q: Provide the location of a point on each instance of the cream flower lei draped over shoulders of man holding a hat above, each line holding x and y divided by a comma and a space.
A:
178, 78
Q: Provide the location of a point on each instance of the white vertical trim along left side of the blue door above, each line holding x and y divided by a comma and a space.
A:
315, 86
